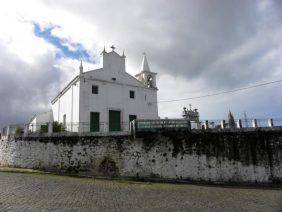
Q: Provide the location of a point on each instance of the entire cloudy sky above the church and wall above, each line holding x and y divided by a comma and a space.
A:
197, 47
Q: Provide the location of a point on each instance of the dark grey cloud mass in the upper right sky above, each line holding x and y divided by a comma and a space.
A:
204, 33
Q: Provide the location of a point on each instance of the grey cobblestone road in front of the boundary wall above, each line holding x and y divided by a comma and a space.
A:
44, 192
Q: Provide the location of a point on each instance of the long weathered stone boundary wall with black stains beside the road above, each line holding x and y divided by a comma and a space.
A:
226, 156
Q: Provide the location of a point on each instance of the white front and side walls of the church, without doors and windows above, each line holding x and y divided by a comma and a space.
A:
77, 100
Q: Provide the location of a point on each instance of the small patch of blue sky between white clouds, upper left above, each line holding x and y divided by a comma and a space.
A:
70, 50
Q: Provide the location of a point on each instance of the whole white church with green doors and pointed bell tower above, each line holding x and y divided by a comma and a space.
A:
106, 99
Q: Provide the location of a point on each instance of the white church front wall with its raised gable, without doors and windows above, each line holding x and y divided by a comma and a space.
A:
114, 86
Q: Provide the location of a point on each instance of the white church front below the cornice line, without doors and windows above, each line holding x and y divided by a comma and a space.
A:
115, 96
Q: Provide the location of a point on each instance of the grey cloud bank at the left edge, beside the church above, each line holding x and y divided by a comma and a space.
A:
25, 89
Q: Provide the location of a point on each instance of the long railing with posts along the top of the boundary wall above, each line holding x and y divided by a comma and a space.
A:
138, 125
